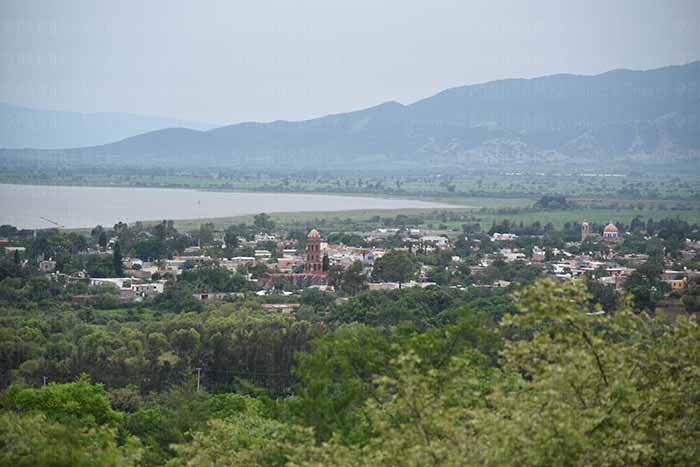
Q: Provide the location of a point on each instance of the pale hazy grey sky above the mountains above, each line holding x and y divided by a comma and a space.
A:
232, 61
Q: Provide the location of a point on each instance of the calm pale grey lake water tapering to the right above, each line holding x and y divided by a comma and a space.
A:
29, 207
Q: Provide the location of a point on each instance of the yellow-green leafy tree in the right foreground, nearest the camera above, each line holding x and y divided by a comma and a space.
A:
608, 389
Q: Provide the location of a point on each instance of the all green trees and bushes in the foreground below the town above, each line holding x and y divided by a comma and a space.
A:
551, 383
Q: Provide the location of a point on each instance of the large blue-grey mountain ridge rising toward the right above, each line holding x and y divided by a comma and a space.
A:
618, 117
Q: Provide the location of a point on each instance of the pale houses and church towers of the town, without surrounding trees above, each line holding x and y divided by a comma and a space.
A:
309, 267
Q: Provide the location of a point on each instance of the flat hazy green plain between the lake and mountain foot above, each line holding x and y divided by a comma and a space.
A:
630, 186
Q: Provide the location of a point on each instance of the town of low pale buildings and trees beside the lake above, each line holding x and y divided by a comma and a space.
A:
656, 261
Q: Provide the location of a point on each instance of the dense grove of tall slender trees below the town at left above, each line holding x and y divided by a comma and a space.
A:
152, 351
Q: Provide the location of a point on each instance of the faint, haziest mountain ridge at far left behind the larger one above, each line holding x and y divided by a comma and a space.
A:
22, 127
